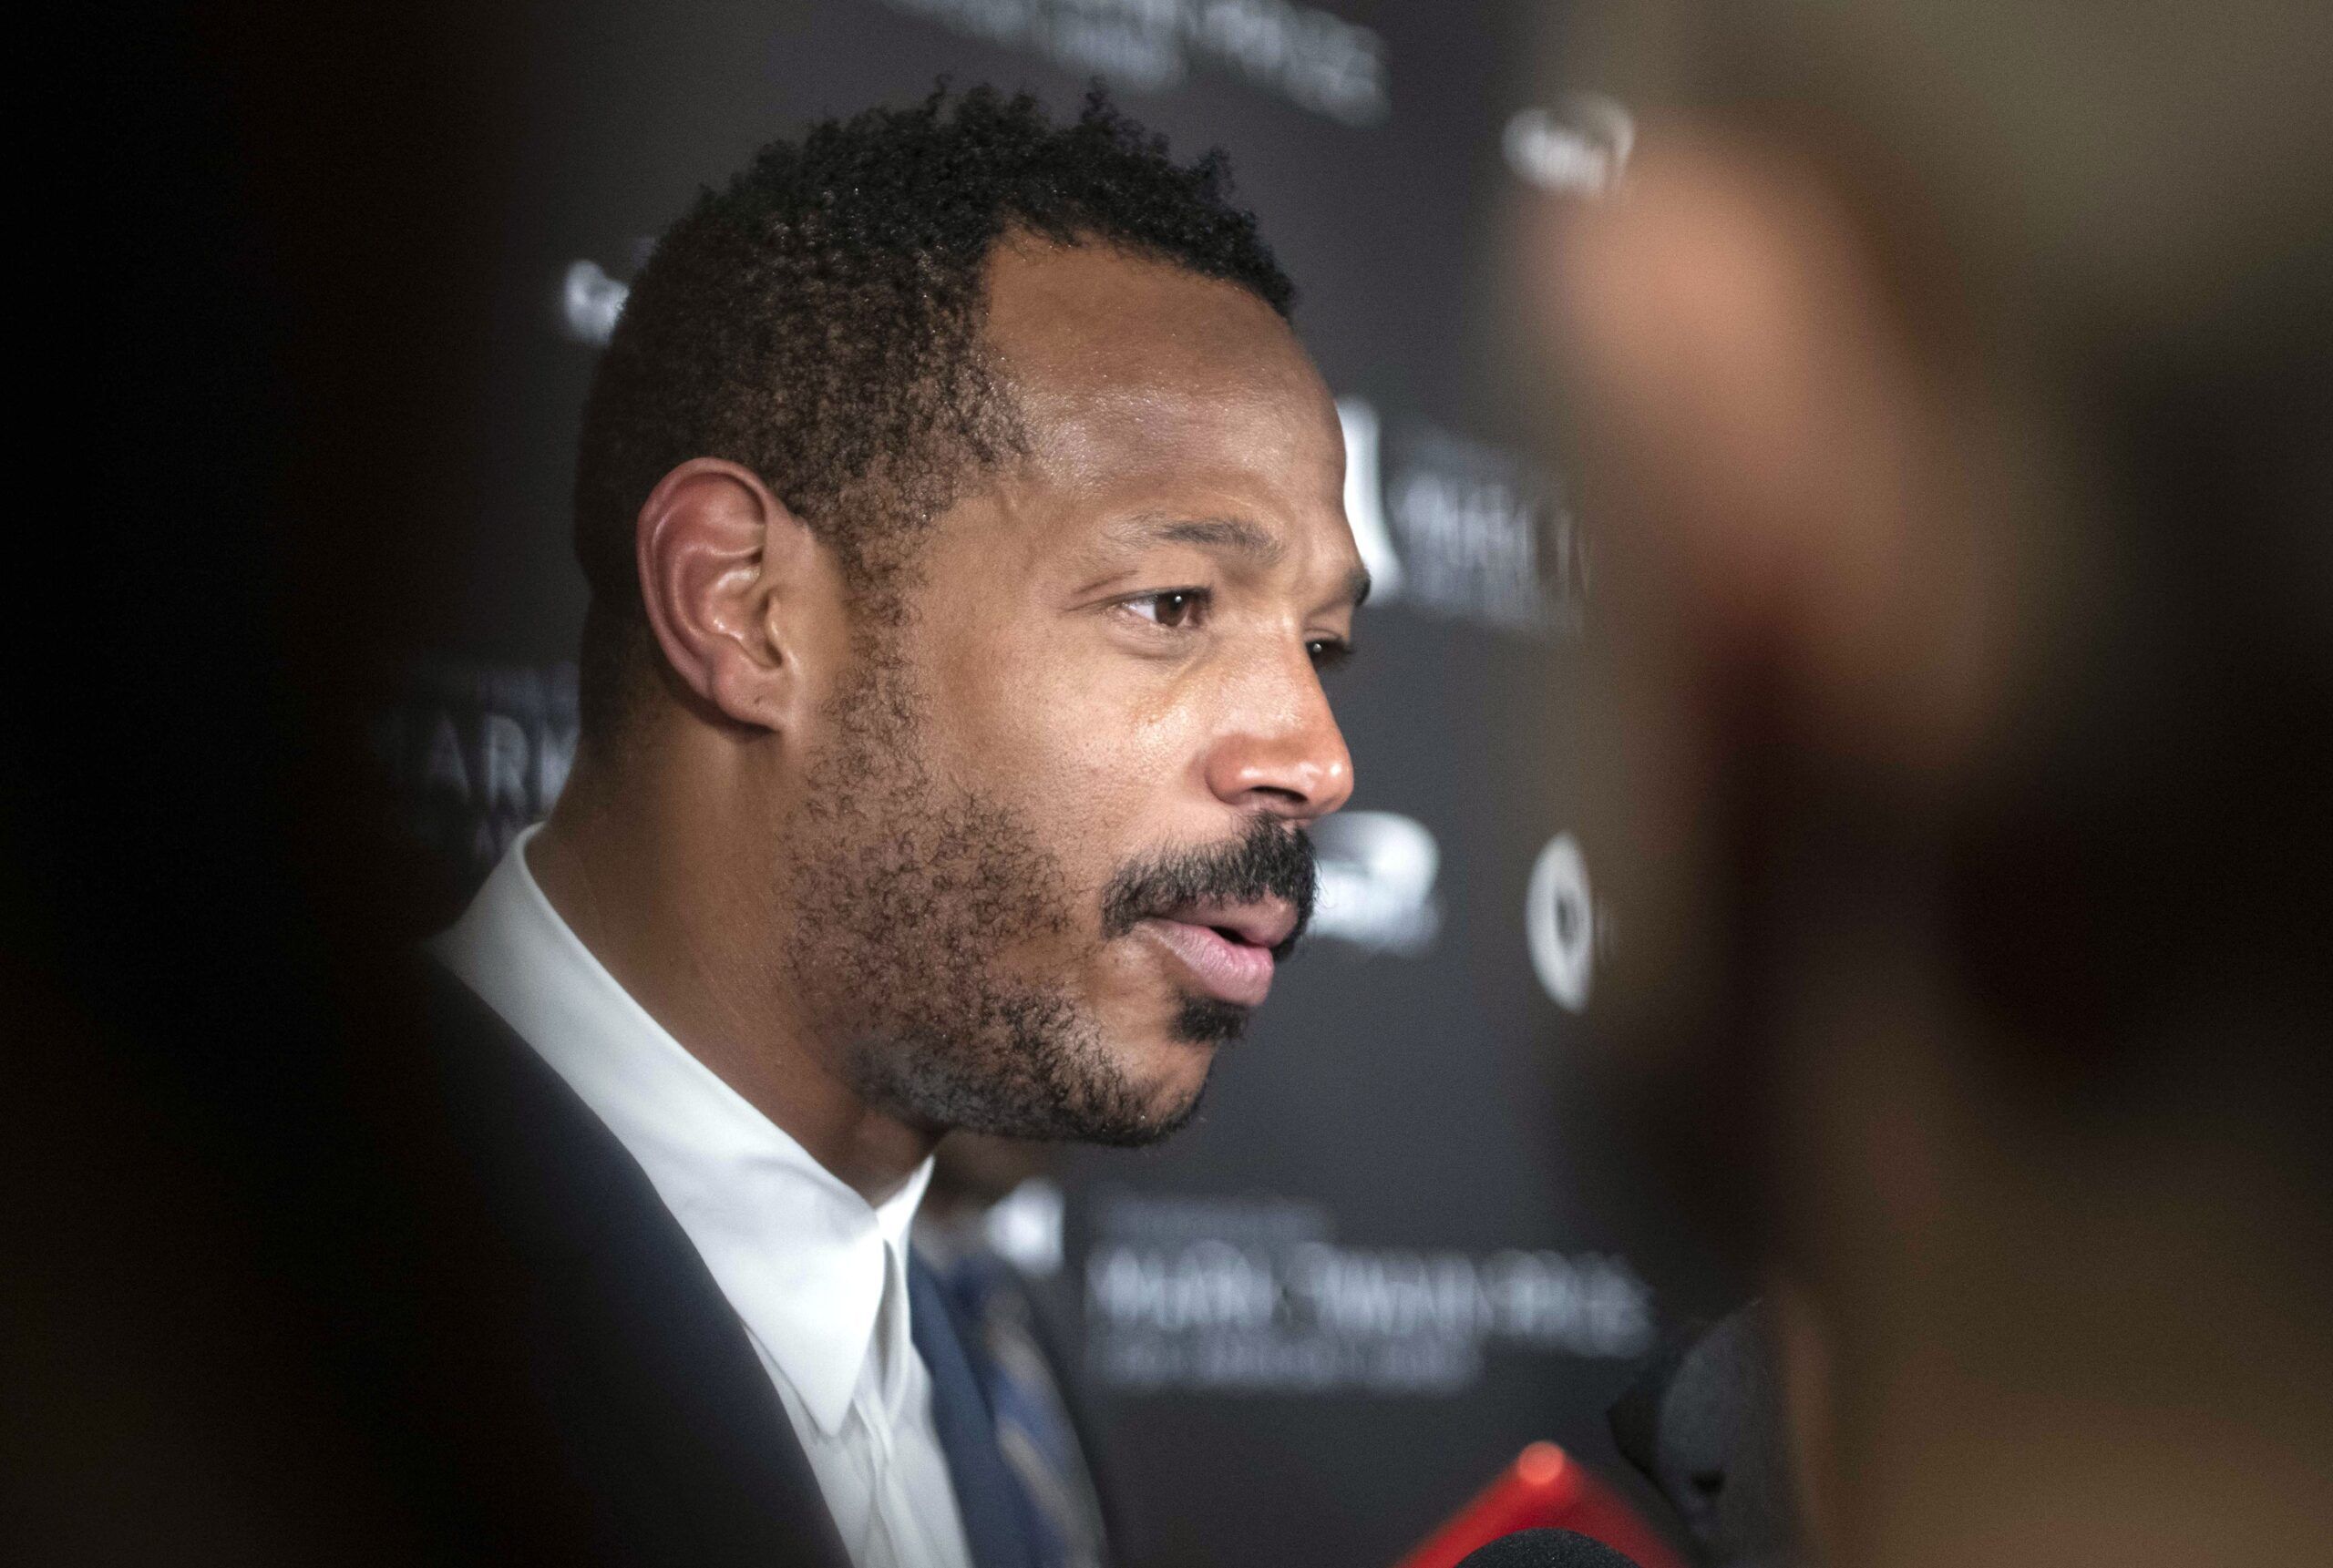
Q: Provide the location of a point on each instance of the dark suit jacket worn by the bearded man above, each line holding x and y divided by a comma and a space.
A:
563, 1371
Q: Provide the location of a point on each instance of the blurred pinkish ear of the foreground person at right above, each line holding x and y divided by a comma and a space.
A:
1777, 437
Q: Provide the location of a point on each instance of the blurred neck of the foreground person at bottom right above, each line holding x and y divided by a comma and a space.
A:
2064, 1352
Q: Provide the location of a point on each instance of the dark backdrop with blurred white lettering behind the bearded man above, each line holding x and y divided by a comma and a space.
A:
1380, 1266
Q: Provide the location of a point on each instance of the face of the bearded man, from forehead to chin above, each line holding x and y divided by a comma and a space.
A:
1053, 834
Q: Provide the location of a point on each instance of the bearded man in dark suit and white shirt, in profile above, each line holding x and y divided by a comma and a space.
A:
965, 535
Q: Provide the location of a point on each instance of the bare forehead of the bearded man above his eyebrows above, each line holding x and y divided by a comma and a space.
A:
1140, 372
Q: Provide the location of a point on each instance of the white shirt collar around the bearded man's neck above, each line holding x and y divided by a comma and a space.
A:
797, 1252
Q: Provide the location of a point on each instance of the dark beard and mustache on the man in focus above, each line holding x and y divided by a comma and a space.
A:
909, 892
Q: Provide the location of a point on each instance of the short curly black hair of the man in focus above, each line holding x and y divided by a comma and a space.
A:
818, 321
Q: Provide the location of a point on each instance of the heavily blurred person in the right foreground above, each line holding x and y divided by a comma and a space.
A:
1954, 393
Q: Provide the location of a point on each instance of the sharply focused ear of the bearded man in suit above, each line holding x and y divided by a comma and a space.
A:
738, 591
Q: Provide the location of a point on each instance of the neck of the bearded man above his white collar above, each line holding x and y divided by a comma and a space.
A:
645, 871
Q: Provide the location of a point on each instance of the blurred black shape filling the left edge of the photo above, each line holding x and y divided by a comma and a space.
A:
239, 220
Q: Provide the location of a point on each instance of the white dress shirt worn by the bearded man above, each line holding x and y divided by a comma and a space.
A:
818, 1277
